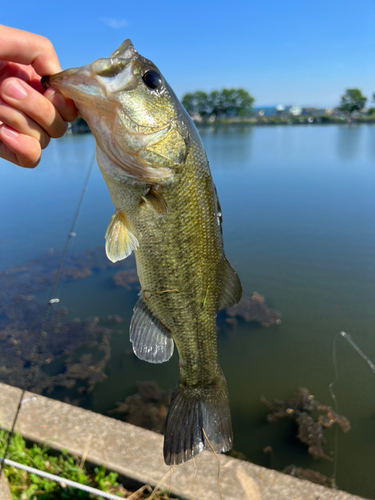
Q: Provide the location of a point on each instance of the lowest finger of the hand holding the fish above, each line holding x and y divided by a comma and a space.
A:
20, 149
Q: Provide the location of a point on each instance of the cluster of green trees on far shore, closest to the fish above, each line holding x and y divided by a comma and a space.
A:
218, 103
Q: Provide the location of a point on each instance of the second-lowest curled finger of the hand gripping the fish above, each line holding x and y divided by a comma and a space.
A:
20, 122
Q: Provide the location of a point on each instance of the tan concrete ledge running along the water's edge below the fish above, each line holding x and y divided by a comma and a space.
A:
137, 454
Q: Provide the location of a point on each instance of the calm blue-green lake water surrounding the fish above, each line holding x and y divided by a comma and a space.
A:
299, 227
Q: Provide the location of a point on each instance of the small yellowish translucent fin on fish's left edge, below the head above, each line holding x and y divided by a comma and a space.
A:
120, 241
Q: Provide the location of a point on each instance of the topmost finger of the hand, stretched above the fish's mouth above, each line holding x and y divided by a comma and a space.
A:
28, 48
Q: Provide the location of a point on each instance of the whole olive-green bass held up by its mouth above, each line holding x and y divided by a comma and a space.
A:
168, 213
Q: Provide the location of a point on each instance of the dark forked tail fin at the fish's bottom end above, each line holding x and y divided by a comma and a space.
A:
194, 408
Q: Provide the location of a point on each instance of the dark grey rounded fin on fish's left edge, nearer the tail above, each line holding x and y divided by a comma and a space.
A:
151, 340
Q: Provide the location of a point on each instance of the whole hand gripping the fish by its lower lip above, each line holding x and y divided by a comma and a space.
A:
29, 115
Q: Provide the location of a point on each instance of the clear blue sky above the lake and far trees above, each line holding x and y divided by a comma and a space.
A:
283, 52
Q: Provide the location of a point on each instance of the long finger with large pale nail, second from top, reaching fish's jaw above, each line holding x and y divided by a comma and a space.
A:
21, 96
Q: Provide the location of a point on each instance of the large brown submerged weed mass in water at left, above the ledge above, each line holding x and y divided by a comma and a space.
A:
21, 317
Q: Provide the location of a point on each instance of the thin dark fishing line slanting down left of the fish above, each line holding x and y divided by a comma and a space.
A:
52, 300
